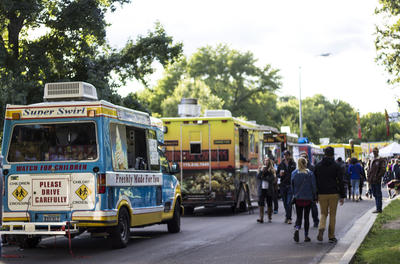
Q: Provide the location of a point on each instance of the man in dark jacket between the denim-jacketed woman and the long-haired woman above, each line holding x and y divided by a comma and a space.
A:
285, 169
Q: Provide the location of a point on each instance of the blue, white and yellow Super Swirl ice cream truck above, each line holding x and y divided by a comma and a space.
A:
75, 163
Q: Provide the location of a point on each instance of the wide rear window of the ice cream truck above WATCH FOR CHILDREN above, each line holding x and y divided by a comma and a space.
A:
53, 142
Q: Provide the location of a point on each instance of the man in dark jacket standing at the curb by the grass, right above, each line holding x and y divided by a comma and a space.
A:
375, 171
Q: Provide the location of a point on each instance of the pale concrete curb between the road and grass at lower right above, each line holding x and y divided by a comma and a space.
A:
347, 246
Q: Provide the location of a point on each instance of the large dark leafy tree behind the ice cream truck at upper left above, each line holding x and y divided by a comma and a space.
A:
72, 47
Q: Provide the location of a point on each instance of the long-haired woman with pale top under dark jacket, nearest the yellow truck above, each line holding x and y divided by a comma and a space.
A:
266, 180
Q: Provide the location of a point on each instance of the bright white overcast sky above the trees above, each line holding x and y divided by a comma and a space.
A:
286, 34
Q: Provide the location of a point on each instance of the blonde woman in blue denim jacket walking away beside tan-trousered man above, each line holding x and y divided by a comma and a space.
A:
304, 192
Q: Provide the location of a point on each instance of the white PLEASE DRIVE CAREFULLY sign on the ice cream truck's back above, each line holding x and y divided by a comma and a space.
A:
50, 192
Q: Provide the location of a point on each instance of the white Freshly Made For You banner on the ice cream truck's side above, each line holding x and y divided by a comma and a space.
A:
133, 179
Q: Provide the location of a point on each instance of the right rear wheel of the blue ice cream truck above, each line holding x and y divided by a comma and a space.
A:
120, 234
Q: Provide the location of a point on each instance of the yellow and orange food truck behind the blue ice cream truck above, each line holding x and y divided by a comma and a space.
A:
219, 156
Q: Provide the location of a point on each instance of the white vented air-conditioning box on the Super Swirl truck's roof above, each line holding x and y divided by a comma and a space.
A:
69, 91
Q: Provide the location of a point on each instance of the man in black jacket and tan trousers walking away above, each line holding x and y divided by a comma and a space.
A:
330, 189
